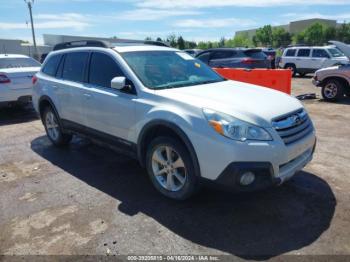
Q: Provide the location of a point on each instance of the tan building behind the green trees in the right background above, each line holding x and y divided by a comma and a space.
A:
293, 27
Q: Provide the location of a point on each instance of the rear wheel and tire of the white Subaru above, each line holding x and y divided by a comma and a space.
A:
54, 129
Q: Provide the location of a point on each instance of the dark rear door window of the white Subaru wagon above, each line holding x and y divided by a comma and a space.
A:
74, 66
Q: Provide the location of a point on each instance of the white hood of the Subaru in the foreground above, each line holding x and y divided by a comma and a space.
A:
255, 104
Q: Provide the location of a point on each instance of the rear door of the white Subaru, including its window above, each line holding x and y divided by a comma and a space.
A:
68, 88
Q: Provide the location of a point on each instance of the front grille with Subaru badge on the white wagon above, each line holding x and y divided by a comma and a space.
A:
293, 127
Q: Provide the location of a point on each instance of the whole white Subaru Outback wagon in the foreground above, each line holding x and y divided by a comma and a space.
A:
181, 120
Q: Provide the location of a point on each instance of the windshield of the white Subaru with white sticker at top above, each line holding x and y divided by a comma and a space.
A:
169, 69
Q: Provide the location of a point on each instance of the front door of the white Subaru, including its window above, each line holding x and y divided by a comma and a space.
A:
109, 111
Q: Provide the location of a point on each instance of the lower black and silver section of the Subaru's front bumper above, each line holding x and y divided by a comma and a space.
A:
265, 175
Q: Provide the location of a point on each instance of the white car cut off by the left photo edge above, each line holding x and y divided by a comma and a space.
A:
16, 72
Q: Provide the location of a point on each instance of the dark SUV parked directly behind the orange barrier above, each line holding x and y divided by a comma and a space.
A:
235, 58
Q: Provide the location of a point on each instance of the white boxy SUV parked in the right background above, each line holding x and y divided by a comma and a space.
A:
304, 59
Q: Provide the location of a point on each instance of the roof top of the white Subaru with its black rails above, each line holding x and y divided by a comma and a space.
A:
106, 44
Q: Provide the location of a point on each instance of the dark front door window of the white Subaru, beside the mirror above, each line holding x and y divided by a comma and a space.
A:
103, 69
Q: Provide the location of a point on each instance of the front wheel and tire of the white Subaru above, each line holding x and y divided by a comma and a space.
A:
170, 168
